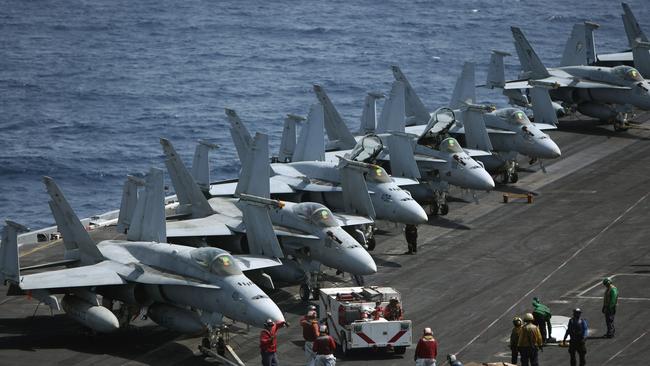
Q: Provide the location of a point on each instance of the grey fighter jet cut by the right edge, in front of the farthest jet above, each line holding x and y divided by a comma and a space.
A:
608, 94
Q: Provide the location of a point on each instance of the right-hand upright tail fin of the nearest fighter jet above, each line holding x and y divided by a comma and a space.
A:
148, 222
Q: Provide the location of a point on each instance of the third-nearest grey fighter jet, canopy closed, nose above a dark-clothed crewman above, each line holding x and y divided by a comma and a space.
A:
309, 178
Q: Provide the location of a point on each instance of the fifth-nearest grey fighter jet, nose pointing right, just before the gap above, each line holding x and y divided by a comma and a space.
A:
506, 132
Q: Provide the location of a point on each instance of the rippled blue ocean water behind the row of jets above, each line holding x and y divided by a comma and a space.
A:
87, 88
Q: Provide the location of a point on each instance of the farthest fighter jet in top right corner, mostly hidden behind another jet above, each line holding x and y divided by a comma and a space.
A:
580, 48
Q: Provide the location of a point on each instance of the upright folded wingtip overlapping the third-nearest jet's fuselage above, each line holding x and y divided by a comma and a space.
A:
356, 198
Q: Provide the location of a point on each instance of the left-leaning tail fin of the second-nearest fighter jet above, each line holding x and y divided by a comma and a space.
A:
188, 192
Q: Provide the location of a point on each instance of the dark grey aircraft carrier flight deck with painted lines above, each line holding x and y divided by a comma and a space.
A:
476, 268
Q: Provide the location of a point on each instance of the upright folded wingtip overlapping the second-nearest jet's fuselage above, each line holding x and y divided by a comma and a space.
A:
259, 228
